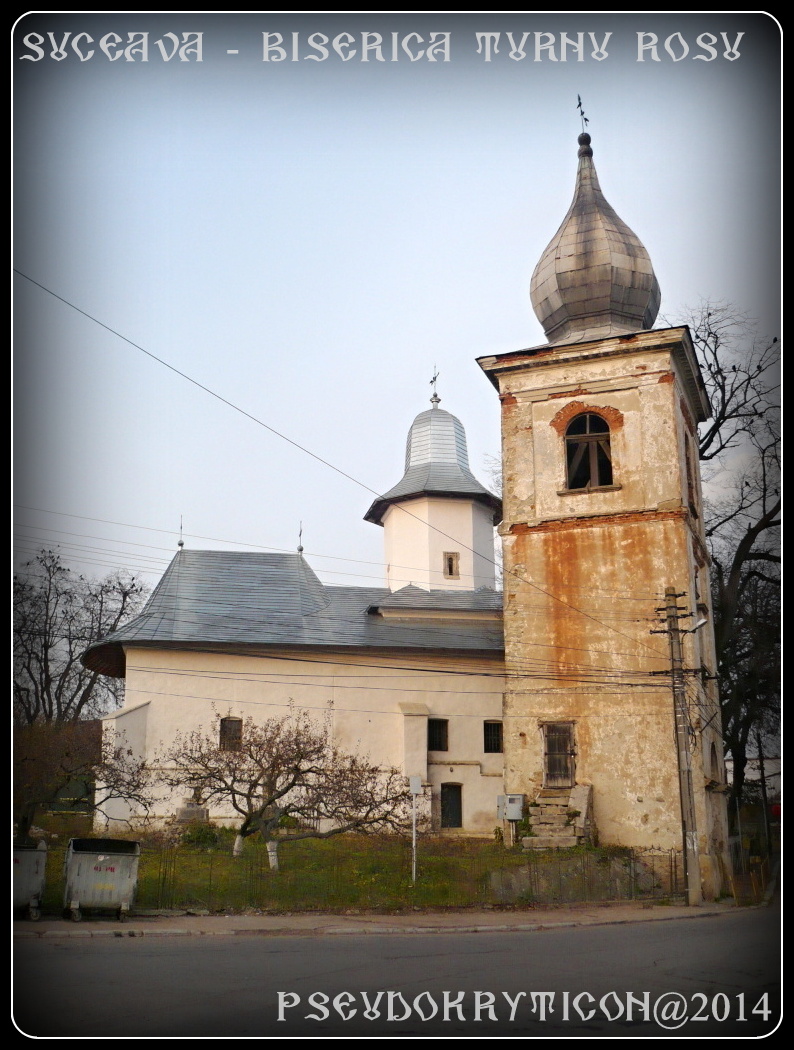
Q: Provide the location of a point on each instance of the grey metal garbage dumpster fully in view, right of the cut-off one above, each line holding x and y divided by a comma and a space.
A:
100, 874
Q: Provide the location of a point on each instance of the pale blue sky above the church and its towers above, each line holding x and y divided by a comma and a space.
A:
310, 240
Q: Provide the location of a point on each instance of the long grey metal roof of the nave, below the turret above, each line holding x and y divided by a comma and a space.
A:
226, 601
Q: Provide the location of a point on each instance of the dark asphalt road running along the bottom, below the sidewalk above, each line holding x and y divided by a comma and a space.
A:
713, 976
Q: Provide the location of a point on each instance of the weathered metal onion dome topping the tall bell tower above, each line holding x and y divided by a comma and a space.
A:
595, 280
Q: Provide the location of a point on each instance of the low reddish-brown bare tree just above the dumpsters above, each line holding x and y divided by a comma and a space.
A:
52, 760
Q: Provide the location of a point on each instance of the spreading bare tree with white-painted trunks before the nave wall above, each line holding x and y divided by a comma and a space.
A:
285, 780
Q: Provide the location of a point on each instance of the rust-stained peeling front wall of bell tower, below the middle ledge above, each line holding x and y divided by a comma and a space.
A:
600, 659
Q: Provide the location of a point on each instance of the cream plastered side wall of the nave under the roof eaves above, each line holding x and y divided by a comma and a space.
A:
378, 705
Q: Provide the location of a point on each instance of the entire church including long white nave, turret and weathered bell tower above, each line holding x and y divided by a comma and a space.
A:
582, 697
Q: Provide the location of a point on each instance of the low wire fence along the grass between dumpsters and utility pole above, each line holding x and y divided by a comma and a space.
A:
212, 880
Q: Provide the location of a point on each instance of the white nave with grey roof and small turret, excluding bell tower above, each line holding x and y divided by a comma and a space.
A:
411, 674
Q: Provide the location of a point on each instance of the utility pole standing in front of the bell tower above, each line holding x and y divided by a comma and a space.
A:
688, 826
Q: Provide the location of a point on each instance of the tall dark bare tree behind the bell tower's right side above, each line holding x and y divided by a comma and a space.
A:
742, 446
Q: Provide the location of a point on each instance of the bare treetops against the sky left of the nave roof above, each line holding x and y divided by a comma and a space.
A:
57, 616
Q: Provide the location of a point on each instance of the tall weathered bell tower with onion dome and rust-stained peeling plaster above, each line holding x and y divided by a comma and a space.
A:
602, 518
